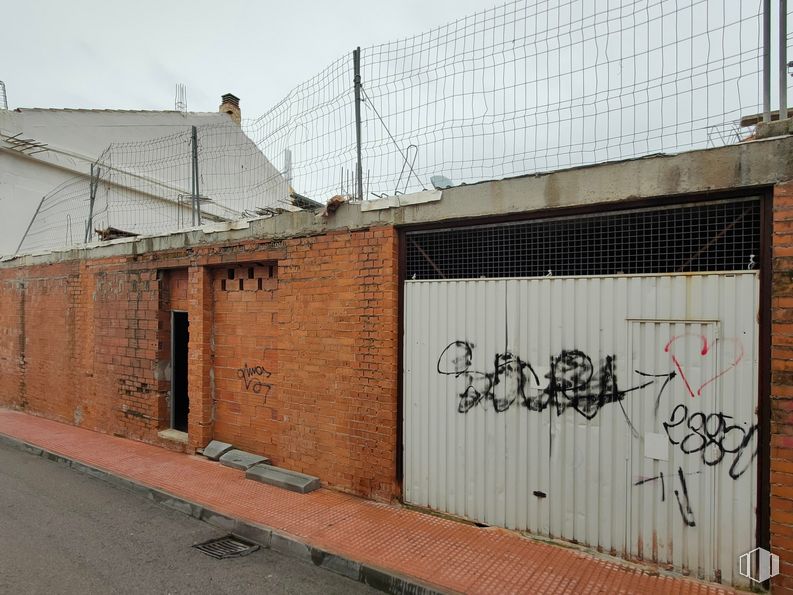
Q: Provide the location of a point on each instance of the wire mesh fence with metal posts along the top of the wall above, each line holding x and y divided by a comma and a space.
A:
526, 87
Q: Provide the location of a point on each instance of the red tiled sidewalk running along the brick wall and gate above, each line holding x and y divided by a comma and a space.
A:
447, 555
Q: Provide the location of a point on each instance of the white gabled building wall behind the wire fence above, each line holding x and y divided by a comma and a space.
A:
76, 138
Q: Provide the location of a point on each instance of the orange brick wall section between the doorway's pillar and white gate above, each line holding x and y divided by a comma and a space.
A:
306, 358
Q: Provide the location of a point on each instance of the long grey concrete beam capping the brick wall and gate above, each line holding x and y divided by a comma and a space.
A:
741, 166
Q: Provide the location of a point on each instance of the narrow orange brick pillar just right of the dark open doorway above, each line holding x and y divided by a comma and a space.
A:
199, 363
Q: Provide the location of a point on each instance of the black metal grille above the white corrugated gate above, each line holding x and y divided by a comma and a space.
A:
716, 236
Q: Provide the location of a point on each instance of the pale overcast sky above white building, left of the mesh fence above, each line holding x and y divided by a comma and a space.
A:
101, 54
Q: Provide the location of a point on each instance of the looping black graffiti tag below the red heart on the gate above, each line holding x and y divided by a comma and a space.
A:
714, 437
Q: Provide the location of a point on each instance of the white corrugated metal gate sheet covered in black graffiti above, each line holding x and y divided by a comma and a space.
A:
617, 412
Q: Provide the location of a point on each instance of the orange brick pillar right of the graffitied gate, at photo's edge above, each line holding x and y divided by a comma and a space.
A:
782, 388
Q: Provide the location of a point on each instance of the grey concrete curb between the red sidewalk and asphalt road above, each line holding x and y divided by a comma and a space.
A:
377, 578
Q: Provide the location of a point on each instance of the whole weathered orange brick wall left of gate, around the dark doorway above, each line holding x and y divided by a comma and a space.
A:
292, 350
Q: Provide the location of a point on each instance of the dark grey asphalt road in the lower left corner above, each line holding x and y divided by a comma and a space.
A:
65, 532
